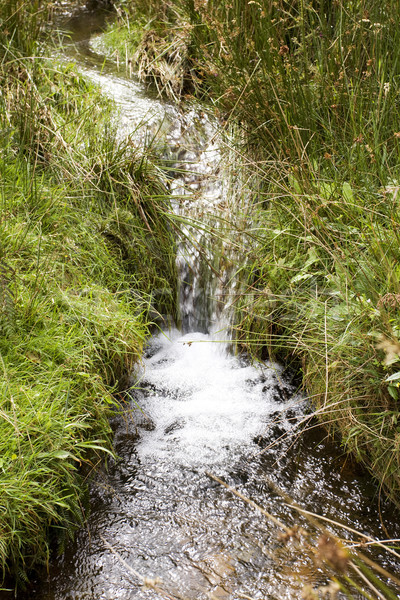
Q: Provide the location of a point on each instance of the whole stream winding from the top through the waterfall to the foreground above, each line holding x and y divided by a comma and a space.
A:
199, 412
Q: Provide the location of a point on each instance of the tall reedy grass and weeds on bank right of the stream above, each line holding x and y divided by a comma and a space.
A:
314, 86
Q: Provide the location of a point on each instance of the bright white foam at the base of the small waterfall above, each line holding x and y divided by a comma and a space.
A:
204, 403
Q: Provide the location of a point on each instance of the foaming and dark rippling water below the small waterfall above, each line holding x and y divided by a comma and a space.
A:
157, 513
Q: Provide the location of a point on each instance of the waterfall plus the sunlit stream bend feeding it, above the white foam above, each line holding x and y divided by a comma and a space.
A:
203, 197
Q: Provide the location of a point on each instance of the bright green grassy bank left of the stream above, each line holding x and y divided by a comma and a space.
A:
84, 241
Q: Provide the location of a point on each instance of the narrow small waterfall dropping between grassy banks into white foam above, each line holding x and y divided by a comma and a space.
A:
213, 214
